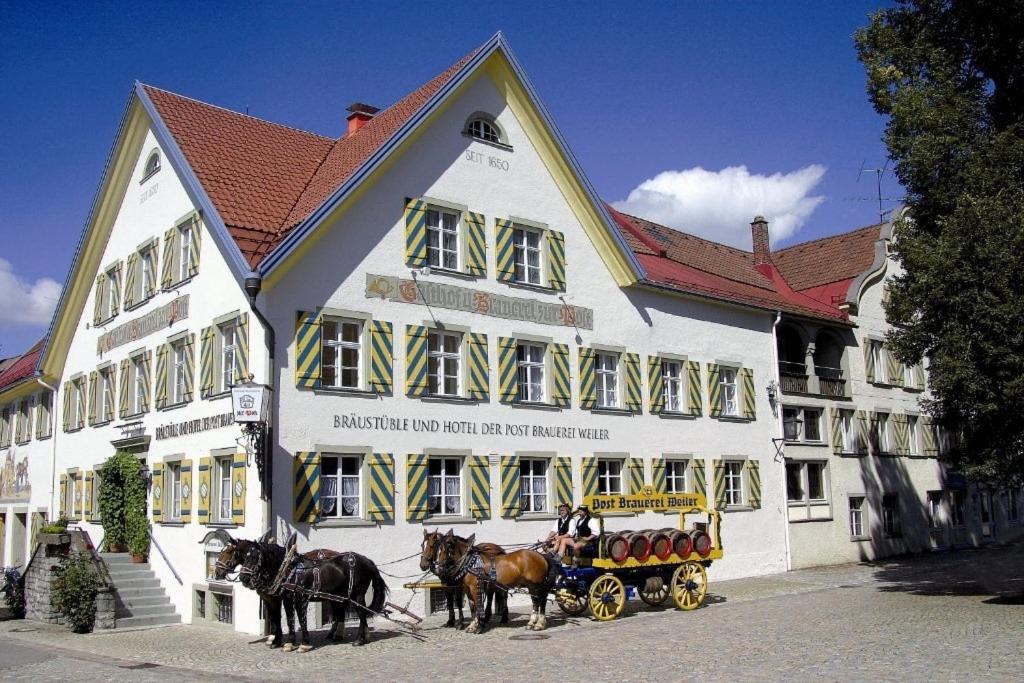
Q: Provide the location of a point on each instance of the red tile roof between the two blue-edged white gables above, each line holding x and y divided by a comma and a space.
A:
266, 179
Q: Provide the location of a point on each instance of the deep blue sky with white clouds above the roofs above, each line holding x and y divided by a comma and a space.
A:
665, 105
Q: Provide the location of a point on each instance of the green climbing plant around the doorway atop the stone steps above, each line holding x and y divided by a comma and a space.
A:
122, 497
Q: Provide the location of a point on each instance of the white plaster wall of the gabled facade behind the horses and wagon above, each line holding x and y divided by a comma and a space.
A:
370, 239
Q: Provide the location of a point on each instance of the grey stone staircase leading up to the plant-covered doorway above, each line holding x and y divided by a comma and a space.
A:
139, 597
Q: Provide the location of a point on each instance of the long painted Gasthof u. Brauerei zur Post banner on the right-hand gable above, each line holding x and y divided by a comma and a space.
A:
476, 302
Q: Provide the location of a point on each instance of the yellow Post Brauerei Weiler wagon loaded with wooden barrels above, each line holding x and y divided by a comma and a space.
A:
655, 565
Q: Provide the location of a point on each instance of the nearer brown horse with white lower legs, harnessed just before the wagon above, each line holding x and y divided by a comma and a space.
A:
523, 569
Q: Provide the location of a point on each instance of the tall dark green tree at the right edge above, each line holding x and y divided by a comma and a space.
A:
950, 77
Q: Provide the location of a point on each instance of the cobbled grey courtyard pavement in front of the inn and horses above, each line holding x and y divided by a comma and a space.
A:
943, 618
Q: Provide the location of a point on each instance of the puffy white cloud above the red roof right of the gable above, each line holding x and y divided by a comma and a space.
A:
720, 205
